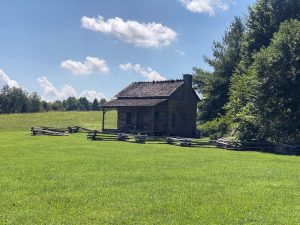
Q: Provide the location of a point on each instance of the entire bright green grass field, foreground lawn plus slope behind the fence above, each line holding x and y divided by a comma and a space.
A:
69, 180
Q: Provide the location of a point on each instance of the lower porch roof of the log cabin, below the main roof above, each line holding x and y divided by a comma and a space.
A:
133, 102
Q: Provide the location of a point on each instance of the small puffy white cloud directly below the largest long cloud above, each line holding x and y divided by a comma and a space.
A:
89, 66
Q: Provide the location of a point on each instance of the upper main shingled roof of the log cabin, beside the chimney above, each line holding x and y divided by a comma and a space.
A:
150, 89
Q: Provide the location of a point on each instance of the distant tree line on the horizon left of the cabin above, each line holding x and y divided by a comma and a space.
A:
17, 100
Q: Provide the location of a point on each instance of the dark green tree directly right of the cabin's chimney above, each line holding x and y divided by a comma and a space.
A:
214, 85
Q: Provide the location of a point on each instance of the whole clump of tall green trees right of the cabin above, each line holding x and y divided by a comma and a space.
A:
253, 90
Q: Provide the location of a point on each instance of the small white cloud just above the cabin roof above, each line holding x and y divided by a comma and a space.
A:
148, 73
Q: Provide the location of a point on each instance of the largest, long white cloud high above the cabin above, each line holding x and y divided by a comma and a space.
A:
139, 34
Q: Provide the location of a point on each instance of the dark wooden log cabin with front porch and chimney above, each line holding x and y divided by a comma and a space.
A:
157, 108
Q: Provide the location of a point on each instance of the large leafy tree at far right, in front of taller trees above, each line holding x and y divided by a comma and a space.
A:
264, 102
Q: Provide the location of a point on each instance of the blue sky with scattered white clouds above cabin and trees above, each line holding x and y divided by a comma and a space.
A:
95, 48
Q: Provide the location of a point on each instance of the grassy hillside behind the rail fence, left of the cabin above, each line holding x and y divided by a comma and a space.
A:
92, 120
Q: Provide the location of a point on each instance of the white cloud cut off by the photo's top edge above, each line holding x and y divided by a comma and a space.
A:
205, 6
